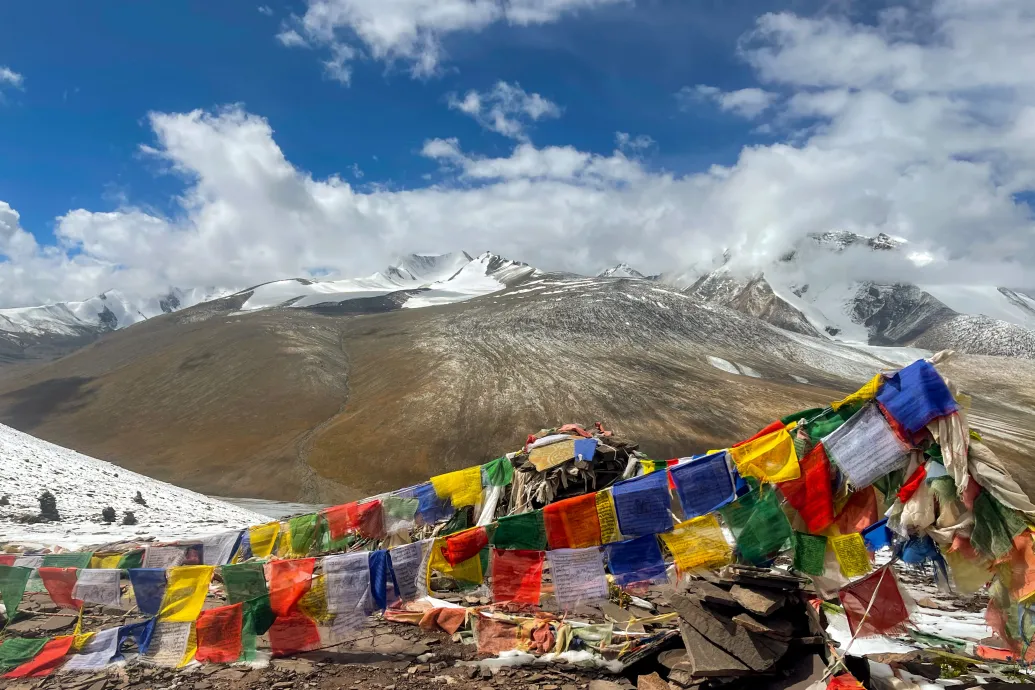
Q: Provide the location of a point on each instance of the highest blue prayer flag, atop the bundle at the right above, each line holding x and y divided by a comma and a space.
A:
915, 396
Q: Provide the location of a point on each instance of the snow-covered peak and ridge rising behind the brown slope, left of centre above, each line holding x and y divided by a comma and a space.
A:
412, 282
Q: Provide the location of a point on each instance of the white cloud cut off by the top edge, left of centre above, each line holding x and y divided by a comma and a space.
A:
412, 32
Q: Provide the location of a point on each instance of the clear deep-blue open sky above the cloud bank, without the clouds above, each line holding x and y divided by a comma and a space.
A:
94, 71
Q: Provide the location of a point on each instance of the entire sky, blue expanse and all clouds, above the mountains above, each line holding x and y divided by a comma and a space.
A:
210, 144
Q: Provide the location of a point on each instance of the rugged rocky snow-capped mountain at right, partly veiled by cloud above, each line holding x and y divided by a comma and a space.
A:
934, 316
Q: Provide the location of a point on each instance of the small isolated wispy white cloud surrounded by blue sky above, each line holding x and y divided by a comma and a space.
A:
507, 109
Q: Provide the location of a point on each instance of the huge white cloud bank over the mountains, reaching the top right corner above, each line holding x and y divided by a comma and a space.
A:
898, 139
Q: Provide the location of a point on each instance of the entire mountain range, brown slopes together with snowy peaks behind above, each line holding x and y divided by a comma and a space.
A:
332, 391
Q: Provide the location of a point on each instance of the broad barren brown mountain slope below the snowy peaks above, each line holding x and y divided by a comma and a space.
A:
301, 404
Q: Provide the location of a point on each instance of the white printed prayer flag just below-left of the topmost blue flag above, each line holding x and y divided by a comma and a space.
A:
866, 447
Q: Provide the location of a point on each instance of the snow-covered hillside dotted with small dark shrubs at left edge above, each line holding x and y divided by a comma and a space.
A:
84, 487
